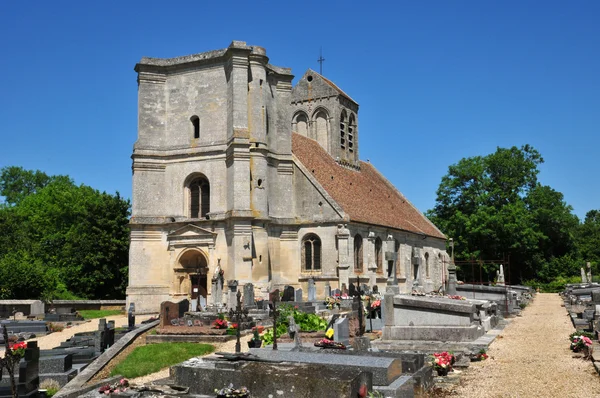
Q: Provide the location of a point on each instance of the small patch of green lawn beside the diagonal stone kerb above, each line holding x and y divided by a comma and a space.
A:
154, 357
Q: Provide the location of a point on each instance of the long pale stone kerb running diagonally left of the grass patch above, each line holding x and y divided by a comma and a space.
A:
76, 387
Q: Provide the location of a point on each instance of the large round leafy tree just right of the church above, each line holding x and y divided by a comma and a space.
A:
494, 207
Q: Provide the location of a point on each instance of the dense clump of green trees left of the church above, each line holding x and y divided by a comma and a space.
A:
74, 238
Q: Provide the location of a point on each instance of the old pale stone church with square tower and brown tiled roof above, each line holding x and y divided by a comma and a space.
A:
240, 175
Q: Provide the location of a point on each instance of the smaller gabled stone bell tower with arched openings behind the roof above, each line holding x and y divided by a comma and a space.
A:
325, 113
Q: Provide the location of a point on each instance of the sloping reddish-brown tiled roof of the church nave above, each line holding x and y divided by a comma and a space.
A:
365, 195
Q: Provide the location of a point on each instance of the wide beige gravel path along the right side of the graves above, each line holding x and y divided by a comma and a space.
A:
531, 358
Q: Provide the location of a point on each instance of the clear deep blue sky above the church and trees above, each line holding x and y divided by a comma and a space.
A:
436, 80
